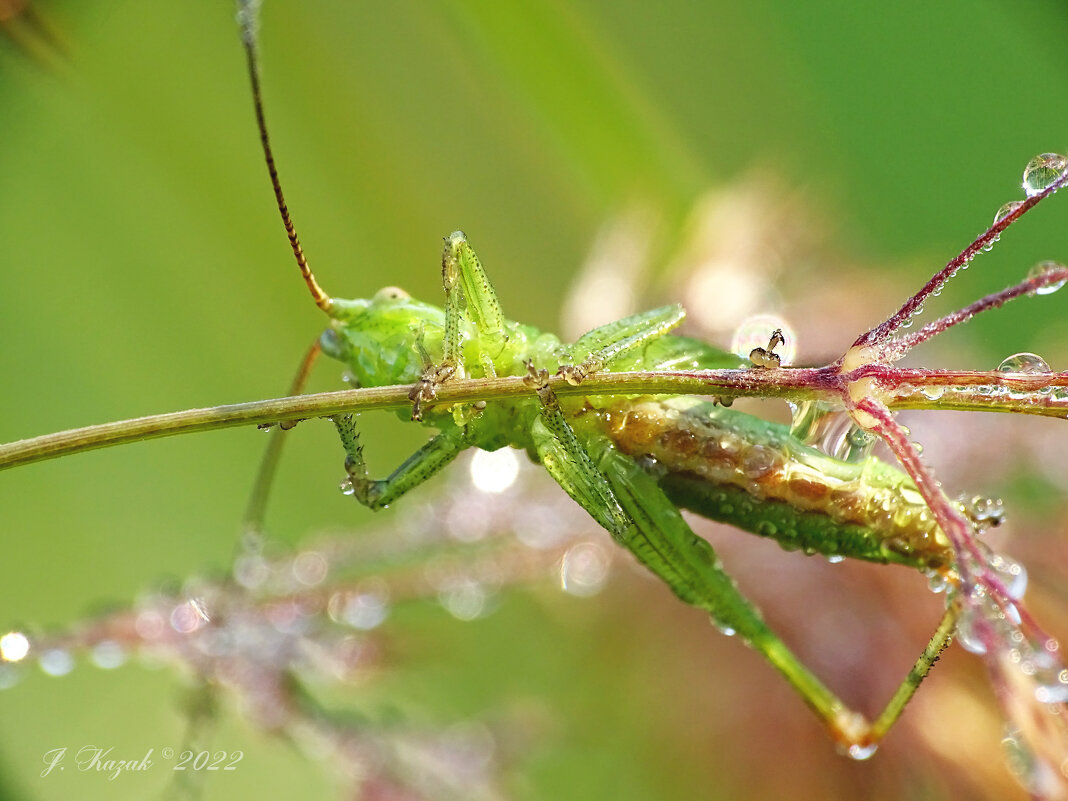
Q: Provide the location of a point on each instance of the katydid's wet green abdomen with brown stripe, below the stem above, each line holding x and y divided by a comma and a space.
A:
751, 474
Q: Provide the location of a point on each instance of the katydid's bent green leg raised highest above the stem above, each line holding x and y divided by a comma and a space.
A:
468, 293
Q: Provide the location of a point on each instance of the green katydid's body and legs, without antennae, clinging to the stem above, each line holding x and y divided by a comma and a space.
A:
632, 462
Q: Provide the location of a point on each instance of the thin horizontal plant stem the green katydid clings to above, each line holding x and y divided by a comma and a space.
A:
909, 389
